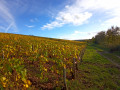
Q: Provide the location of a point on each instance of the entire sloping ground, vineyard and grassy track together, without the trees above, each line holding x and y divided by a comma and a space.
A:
34, 63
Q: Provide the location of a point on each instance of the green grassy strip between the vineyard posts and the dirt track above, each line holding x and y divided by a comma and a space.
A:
96, 73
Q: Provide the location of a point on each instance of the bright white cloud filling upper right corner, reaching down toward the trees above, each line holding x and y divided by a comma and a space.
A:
110, 8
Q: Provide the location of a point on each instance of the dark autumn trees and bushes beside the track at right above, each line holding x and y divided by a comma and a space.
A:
109, 39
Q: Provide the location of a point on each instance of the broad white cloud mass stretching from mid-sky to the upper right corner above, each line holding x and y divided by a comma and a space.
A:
81, 10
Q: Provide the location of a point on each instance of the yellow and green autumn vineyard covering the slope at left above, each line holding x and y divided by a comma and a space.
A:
29, 62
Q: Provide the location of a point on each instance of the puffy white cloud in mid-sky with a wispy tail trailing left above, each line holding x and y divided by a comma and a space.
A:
70, 15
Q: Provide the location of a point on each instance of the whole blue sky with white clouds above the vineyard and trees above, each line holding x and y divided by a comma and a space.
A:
62, 19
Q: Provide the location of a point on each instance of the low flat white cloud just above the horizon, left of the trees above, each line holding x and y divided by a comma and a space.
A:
78, 35
